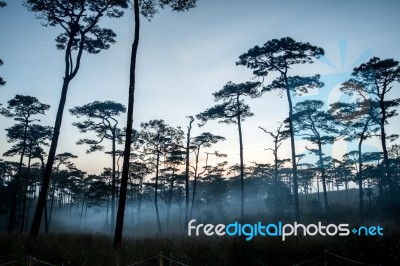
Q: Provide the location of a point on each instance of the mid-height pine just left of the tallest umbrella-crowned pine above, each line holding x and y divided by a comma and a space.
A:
233, 110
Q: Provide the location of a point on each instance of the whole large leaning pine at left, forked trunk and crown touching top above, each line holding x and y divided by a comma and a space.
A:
81, 32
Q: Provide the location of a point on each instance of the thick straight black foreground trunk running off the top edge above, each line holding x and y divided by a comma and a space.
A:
128, 133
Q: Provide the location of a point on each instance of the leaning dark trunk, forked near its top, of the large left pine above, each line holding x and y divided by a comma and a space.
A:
56, 132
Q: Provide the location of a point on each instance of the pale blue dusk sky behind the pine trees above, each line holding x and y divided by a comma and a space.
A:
184, 57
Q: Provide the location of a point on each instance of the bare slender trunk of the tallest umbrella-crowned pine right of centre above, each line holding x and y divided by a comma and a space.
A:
293, 147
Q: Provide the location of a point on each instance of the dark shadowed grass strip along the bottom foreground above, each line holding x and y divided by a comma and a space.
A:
86, 249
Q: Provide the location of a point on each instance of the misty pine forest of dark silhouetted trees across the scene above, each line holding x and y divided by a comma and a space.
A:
158, 176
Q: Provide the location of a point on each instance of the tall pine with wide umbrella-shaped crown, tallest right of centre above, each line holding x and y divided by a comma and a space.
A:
279, 55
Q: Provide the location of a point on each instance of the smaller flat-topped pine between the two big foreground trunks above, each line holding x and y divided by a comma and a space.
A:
101, 119
